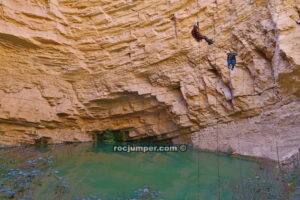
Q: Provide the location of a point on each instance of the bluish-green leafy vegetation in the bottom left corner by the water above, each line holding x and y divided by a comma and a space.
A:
20, 180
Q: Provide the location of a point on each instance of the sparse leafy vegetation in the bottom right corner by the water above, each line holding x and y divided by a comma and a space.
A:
281, 184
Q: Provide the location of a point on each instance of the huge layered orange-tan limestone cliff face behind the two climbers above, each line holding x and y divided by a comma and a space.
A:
70, 69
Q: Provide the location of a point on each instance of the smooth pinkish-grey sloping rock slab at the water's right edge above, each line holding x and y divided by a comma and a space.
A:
272, 134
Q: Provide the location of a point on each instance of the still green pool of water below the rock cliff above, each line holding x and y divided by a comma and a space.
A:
92, 169
